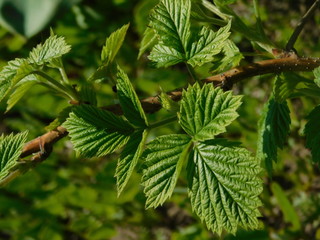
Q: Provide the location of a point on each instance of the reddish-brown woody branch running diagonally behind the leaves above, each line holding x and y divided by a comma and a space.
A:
152, 104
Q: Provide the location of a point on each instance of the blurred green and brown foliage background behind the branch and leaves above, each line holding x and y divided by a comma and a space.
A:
69, 197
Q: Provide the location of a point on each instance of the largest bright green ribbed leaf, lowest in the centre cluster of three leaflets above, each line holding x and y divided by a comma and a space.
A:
223, 186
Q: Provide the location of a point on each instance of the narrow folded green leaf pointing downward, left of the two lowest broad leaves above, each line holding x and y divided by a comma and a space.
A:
129, 158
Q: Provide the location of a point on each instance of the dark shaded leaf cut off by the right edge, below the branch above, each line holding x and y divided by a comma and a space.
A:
312, 132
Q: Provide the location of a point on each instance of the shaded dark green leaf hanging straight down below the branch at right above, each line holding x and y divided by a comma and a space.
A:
274, 129
